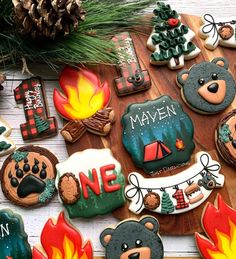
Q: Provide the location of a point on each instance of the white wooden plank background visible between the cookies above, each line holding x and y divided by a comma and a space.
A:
35, 218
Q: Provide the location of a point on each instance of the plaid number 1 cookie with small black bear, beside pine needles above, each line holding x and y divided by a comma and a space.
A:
133, 79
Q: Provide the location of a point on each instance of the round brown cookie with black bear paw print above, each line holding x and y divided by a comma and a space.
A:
28, 176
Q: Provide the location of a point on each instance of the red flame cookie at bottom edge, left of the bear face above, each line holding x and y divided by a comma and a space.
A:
61, 240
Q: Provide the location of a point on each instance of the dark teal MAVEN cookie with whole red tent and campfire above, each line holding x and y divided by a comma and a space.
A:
158, 134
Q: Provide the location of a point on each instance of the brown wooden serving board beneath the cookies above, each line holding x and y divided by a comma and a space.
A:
163, 83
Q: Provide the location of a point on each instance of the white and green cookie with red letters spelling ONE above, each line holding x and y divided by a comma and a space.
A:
90, 183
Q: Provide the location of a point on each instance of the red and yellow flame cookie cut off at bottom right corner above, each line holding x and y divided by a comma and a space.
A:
219, 223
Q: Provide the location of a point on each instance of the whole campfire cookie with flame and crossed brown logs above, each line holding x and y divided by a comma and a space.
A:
83, 103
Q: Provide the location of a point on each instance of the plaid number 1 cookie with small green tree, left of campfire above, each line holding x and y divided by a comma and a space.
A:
38, 124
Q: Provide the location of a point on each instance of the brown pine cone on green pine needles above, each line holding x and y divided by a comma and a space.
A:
47, 18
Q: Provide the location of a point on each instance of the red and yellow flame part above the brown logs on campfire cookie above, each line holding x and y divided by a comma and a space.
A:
83, 94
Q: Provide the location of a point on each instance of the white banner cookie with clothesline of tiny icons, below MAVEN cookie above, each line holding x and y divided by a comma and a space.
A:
178, 193
